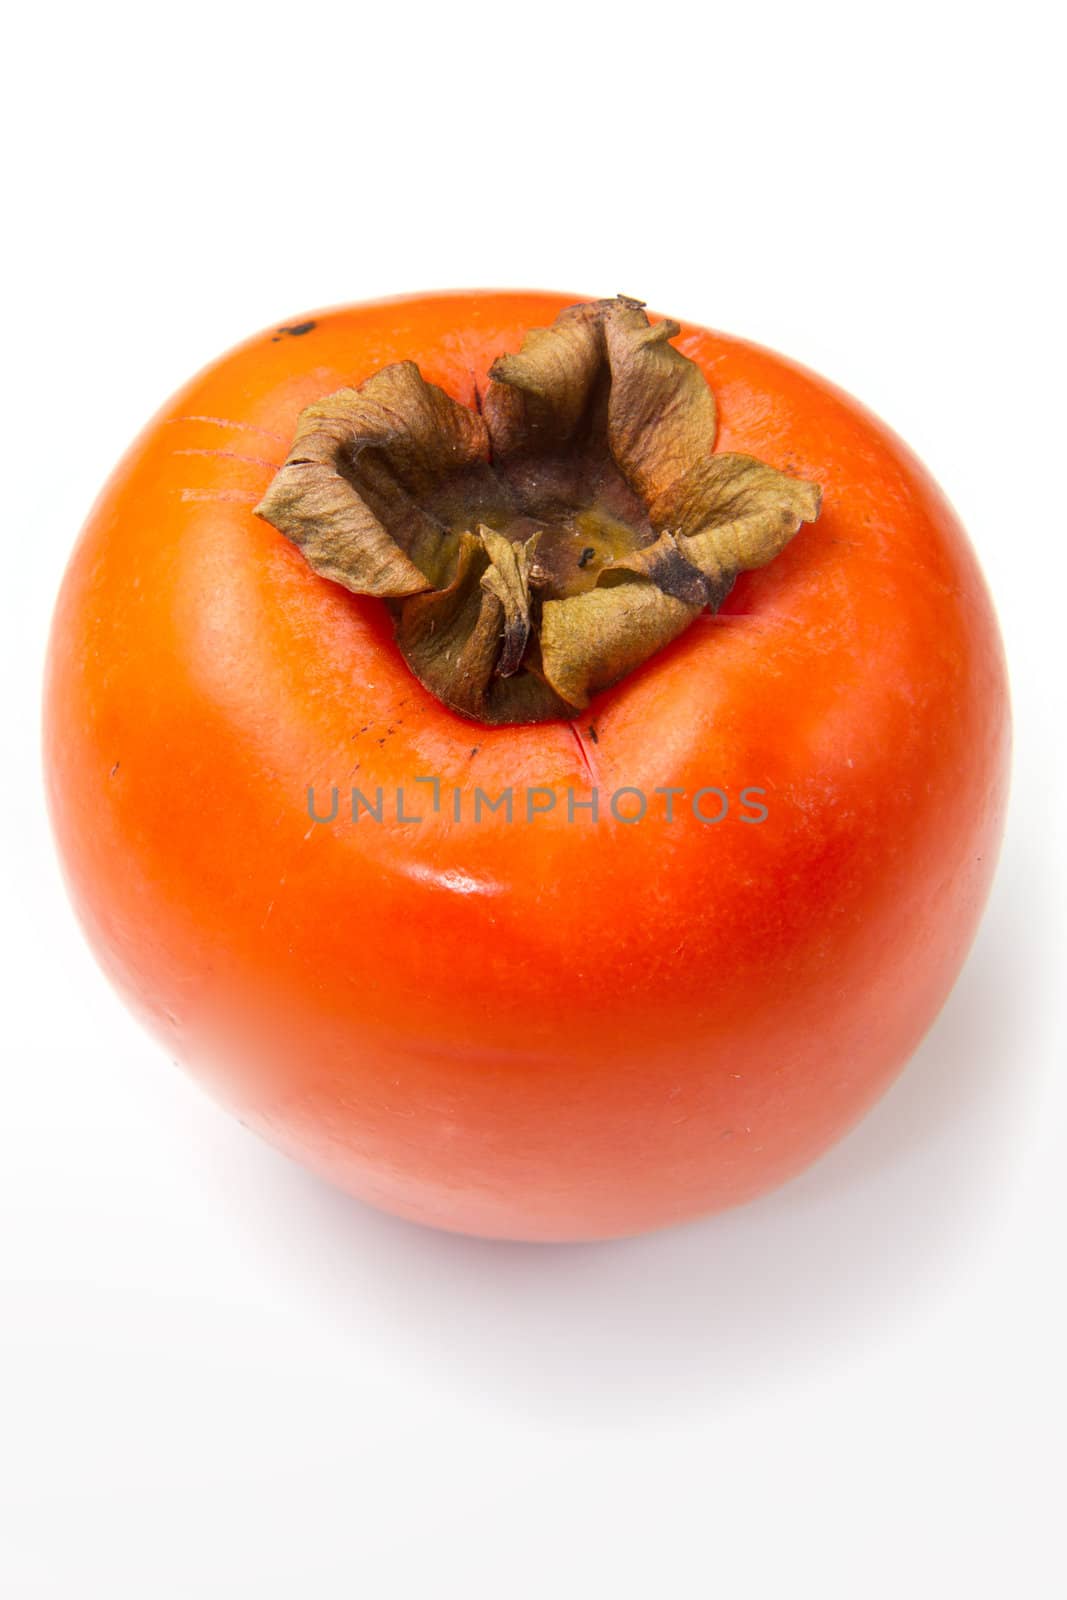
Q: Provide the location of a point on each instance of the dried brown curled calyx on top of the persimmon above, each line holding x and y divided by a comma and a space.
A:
537, 551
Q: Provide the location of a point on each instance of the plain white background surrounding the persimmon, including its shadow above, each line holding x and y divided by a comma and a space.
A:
220, 1378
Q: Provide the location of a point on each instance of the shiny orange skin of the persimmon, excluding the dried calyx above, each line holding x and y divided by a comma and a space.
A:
548, 1031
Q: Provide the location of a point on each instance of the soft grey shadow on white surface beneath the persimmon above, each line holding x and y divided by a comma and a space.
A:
697, 1318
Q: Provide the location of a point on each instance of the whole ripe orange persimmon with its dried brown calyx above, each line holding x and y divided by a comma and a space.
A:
706, 622
